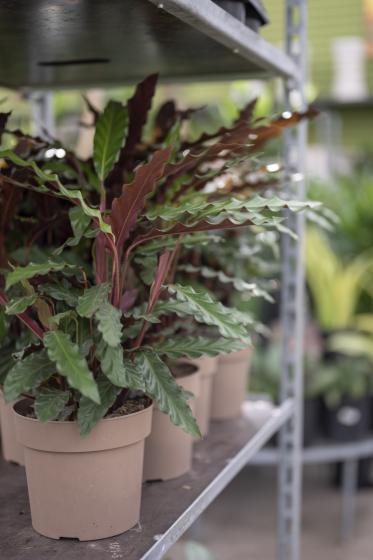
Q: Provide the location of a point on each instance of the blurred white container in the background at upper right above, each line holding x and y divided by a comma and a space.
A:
349, 69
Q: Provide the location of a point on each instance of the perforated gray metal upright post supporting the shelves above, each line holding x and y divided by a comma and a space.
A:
292, 311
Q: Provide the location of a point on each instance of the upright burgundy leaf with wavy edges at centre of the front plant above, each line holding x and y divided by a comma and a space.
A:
126, 208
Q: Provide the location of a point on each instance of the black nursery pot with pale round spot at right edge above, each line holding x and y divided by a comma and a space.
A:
349, 421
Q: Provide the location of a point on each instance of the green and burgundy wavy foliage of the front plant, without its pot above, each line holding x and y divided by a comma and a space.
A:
101, 343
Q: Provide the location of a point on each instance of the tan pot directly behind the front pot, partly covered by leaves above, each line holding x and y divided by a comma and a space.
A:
168, 449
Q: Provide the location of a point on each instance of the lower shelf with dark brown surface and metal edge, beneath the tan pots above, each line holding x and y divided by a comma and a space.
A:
168, 508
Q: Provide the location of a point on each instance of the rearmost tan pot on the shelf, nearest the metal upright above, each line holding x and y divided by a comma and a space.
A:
230, 385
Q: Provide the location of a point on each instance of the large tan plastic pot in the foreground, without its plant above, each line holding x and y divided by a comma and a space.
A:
86, 488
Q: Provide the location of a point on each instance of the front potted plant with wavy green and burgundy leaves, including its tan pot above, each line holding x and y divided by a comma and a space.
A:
102, 354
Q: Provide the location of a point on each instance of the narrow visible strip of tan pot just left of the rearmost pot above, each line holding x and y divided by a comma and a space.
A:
207, 367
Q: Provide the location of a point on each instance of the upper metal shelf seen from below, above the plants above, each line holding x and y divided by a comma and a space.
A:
82, 43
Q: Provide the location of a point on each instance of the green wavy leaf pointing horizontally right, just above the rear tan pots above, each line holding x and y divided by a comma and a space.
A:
197, 346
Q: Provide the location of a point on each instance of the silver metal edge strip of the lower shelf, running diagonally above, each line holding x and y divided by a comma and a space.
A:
278, 417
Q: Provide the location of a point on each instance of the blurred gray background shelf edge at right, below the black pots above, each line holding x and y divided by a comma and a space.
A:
323, 452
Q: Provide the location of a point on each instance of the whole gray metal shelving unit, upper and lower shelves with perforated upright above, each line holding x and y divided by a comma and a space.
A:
81, 43
